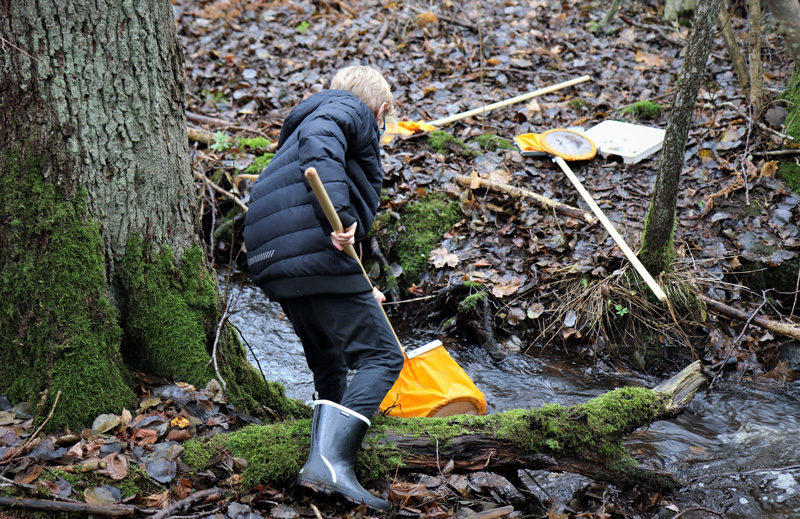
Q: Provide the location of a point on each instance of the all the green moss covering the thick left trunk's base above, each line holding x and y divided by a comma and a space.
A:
61, 331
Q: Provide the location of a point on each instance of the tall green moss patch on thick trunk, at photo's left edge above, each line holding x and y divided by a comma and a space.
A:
58, 328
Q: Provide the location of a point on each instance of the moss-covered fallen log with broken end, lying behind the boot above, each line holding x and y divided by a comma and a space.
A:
584, 438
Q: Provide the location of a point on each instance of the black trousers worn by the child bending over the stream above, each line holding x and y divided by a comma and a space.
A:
341, 332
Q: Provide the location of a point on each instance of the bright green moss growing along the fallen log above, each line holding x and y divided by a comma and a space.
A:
592, 431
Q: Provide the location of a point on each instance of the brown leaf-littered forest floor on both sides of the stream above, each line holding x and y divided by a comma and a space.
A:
549, 281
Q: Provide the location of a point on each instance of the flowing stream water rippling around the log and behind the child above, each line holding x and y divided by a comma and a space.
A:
737, 448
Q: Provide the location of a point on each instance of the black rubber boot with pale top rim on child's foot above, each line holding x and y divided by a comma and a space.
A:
336, 435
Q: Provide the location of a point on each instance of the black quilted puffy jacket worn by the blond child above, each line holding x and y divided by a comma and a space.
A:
289, 250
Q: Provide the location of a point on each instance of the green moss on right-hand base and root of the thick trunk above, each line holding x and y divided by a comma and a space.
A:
172, 322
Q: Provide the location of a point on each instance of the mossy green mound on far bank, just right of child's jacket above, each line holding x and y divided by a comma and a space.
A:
421, 226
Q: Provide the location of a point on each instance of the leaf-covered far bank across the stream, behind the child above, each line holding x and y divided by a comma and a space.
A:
549, 280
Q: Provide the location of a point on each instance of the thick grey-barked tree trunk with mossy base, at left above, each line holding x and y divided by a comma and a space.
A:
101, 269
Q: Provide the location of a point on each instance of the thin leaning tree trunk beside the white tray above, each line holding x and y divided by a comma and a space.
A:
658, 248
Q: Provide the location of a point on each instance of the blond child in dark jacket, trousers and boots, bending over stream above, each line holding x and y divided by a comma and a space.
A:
333, 308
